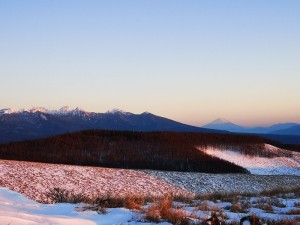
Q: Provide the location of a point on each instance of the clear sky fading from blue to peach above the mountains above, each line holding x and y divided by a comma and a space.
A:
191, 61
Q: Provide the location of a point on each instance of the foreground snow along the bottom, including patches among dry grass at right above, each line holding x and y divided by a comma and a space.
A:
16, 209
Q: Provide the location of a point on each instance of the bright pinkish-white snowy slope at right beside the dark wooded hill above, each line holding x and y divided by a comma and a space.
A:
284, 163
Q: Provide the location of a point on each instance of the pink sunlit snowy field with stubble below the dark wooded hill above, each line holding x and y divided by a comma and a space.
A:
35, 180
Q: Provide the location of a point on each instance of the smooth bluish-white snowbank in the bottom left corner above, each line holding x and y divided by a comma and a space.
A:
15, 209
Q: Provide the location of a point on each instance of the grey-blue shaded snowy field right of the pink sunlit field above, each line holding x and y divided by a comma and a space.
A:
201, 183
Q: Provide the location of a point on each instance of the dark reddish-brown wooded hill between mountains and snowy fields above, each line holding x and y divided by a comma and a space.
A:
140, 150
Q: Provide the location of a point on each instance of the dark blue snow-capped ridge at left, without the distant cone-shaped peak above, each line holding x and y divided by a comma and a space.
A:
17, 125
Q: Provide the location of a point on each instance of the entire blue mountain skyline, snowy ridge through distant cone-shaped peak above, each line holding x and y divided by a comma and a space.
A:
39, 122
